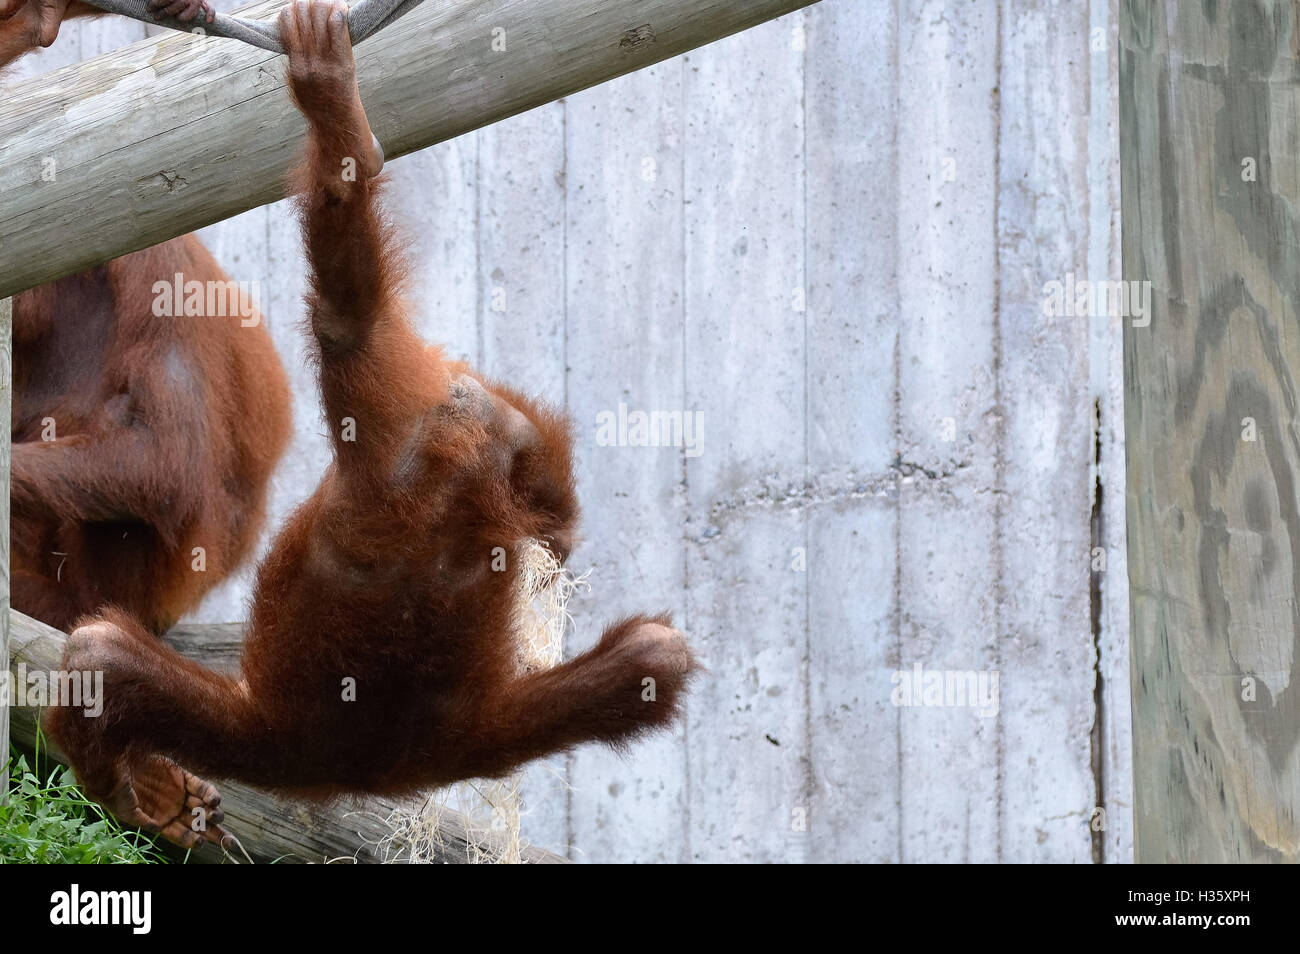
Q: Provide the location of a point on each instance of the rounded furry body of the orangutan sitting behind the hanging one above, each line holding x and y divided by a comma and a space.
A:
167, 432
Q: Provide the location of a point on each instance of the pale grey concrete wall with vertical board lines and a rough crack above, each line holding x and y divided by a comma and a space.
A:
829, 238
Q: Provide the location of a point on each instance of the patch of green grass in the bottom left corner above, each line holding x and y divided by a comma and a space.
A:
49, 821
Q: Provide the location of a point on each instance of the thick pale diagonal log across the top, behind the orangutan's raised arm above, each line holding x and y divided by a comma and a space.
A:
176, 133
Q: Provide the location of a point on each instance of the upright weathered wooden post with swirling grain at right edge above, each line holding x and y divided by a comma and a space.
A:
1211, 201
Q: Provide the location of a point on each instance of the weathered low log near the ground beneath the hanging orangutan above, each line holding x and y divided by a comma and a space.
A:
270, 829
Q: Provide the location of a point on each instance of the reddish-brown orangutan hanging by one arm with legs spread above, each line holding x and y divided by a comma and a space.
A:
382, 653
